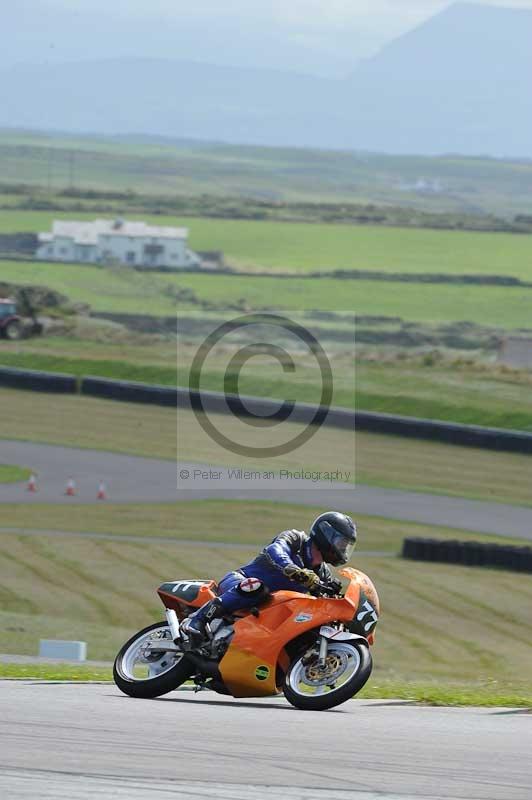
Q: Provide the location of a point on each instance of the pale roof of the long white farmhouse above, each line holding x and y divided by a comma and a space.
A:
89, 232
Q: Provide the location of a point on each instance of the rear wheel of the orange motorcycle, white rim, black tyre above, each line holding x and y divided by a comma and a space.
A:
140, 672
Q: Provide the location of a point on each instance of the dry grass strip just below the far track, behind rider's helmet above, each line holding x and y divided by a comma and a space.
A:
245, 523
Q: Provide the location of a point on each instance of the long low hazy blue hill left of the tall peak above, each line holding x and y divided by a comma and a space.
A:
171, 98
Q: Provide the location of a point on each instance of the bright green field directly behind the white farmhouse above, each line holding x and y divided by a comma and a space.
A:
302, 247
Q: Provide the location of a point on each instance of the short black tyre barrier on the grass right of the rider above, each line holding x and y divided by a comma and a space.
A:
469, 554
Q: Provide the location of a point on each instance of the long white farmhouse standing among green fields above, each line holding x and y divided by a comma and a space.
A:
105, 242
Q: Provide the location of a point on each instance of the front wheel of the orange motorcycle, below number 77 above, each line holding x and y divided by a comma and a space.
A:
311, 687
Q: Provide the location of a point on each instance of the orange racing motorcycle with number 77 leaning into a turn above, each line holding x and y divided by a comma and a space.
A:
314, 648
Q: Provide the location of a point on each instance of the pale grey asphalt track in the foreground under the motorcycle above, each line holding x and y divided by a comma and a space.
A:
84, 741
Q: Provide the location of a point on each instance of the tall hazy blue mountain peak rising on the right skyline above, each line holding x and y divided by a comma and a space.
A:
459, 83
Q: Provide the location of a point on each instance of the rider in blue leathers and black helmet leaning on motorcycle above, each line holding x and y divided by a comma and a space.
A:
293, 561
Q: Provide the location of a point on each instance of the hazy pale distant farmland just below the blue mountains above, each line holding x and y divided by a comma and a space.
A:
278, 174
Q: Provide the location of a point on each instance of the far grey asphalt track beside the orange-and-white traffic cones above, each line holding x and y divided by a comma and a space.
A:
145, 480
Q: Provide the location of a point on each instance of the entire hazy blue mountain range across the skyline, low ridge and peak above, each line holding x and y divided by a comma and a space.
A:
458, 83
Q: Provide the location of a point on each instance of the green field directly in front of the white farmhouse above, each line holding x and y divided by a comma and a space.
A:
124, 291
